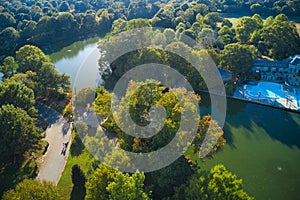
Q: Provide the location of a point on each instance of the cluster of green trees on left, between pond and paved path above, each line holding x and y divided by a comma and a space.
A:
29, 77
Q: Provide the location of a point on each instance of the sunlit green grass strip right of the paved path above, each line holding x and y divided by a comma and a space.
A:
80, 156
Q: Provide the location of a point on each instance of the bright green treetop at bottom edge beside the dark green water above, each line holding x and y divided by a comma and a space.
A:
219, 183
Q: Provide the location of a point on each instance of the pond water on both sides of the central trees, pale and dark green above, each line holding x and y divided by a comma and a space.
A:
263, 143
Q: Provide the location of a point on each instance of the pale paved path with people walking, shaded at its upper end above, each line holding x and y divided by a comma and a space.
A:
57, 134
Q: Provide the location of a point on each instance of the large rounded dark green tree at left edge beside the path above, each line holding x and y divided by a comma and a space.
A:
18, 132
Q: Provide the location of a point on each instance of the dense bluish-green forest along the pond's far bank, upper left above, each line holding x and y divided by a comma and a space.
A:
47, 24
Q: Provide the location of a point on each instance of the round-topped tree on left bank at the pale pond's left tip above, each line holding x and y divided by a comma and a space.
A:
30, 58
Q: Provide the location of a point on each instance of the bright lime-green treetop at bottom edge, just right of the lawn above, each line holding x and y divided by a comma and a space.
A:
128, 187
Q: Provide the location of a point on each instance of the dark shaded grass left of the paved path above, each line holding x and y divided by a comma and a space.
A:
12, 174
